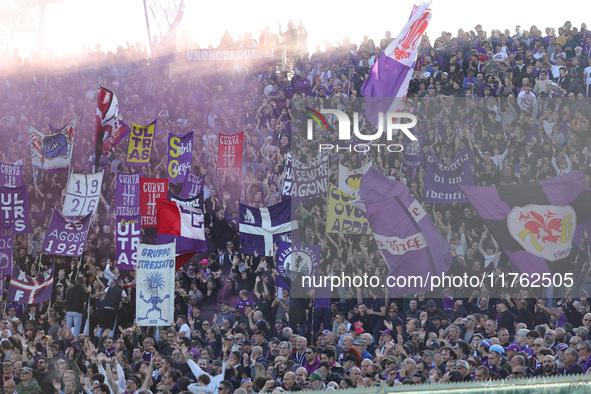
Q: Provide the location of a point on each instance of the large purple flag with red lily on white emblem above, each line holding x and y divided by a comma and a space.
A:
538, 224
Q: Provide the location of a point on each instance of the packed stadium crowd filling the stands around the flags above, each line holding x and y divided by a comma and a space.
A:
526, 115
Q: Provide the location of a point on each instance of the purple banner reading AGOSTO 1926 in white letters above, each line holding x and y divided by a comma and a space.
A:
66, 237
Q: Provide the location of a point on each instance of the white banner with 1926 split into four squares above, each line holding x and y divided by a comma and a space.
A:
83, 194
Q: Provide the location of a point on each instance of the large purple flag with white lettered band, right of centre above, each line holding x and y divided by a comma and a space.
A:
407, 238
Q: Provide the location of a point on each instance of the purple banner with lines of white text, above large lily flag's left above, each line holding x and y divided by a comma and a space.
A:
442, 181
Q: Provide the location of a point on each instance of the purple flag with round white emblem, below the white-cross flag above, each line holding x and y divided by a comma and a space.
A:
296, 258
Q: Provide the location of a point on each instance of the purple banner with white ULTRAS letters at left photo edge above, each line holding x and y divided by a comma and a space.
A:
14, 203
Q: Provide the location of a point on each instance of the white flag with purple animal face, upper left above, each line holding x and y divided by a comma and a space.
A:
49, 152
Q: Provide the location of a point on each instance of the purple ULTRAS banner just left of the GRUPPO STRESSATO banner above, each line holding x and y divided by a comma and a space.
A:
128, 239
